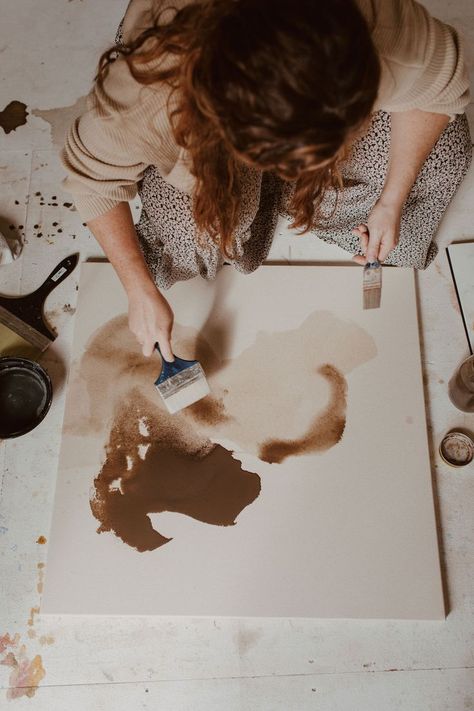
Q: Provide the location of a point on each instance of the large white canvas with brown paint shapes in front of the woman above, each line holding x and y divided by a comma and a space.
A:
300, 487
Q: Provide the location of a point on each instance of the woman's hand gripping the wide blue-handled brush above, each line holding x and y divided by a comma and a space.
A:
150, 318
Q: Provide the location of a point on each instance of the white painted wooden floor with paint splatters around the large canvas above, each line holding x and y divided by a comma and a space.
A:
48, 52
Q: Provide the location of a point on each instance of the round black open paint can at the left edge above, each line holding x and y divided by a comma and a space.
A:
25, 396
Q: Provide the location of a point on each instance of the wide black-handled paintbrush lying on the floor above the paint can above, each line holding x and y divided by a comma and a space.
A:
23, 330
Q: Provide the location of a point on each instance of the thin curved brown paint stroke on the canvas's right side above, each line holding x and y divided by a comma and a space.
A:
326, 430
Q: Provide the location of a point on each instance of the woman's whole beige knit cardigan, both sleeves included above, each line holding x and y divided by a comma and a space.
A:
126, 127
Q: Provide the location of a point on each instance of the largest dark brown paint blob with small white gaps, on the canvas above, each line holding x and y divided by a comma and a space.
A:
154, 468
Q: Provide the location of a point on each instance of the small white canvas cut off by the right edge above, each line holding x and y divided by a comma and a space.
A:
461, 257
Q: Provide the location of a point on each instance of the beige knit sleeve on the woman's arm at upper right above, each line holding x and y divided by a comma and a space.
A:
422, 59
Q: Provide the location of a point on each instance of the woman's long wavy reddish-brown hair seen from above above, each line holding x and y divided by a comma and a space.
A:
280, 85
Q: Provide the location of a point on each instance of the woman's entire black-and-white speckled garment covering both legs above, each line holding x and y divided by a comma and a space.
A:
174, 251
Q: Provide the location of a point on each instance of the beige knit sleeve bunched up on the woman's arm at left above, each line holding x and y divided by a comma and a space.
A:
107, 150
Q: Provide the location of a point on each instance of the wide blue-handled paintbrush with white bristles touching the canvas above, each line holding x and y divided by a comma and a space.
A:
181, 382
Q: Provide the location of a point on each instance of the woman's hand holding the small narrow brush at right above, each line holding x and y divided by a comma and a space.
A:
380, 234
